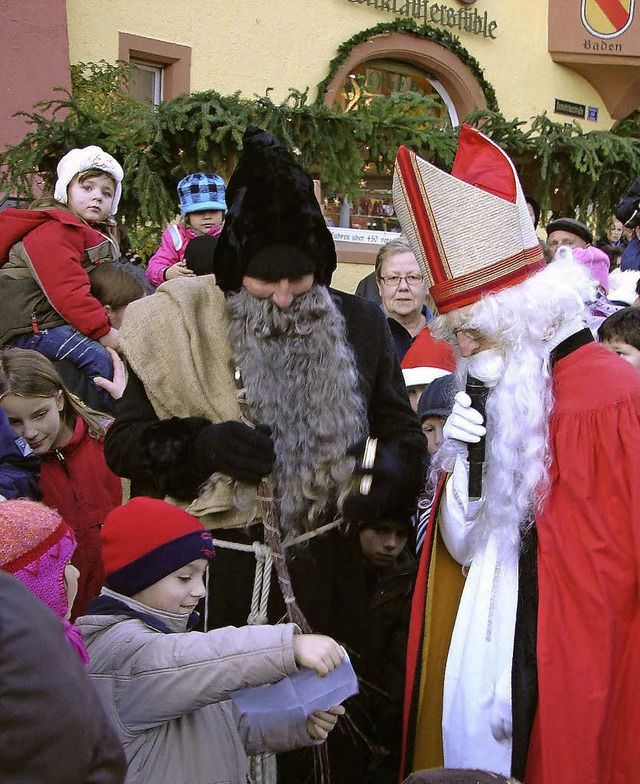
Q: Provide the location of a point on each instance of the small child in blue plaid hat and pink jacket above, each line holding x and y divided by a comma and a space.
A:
203, 207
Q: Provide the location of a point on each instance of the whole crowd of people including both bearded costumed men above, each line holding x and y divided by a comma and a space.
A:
220, 470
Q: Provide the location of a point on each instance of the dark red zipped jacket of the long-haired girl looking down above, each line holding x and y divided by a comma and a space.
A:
75, 480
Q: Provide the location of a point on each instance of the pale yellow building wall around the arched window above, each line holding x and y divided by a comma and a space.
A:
250, 46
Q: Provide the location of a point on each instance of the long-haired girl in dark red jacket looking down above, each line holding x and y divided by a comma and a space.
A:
68, 438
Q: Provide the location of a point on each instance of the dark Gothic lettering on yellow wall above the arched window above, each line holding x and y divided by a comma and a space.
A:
465, 19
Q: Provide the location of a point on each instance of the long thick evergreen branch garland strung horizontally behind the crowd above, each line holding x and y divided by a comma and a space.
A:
203, 131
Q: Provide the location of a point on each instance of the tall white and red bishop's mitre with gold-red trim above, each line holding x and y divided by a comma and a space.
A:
470, 230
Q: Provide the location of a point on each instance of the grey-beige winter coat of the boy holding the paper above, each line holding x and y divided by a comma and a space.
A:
166, 694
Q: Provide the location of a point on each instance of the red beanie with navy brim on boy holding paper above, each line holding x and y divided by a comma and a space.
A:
147, 539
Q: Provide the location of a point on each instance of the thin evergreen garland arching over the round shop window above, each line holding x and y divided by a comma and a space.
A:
410, 27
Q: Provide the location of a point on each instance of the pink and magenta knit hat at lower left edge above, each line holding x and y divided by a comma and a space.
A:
35, 546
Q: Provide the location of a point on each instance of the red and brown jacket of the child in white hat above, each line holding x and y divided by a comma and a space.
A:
45, 258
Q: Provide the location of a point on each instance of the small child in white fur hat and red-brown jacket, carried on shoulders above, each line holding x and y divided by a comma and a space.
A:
47, 254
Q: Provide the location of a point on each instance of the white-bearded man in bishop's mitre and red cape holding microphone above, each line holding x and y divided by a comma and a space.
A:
526, 660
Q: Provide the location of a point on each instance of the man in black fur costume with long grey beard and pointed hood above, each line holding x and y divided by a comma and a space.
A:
267, 372
